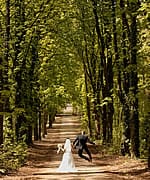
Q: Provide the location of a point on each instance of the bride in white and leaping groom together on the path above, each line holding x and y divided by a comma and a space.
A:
80, 143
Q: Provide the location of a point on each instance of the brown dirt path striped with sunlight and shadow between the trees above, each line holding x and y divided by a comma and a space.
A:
43, 160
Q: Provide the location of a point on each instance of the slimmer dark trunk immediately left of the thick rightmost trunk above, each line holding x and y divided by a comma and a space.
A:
124, 83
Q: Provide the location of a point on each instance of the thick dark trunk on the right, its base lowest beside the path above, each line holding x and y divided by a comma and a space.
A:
134, 118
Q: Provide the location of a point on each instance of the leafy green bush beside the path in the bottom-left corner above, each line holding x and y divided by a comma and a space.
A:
12, 153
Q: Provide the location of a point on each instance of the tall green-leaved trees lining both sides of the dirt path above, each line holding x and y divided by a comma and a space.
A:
93, 54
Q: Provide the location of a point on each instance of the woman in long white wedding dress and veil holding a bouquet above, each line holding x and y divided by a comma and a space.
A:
67, 163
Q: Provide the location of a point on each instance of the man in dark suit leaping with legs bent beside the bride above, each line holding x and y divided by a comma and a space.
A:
80, 144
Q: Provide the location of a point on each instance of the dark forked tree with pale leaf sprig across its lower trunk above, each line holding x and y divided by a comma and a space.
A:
103, 21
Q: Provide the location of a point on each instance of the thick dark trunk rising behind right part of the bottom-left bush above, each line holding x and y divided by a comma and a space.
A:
19, 65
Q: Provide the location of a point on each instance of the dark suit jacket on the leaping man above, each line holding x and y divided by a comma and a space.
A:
80, 142
